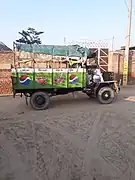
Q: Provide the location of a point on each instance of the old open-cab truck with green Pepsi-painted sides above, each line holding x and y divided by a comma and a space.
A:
67, 70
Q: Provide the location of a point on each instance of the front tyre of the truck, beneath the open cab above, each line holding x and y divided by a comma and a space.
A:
105, 95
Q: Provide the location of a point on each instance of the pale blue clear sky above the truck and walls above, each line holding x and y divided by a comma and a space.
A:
73, 19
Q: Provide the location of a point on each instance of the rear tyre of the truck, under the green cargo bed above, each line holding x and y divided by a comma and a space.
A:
39, 100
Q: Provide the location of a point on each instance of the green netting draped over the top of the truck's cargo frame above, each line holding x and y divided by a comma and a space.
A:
71, 50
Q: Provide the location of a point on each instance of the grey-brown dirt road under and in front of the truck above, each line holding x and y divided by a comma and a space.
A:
76, 139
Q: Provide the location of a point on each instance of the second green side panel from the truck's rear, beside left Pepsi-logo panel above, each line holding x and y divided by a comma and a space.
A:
43, 78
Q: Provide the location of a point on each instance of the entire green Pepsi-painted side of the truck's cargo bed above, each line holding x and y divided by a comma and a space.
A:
48, 78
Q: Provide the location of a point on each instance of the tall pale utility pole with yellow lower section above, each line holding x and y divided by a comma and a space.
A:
126, 57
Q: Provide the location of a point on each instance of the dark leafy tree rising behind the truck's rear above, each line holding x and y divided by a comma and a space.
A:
30, 36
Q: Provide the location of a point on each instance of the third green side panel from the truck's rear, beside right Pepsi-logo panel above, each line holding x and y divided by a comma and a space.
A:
60, 78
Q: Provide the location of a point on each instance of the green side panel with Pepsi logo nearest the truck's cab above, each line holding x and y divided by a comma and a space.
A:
75, 78
